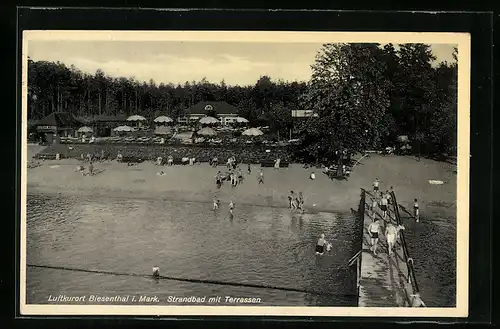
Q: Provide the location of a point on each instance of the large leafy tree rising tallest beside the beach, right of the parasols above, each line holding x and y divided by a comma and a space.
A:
348, 92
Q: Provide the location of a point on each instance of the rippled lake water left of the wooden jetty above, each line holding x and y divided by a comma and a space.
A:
260, 245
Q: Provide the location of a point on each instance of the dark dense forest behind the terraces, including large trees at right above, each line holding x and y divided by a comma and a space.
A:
365, 96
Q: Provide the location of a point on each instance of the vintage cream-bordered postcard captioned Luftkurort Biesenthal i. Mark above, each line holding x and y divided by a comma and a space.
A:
245, 173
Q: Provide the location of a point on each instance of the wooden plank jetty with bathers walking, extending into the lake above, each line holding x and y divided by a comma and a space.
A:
383, 280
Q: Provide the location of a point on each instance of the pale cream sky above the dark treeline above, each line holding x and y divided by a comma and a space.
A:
237, 63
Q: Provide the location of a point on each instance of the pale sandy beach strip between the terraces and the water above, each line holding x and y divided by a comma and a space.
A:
409, 177
